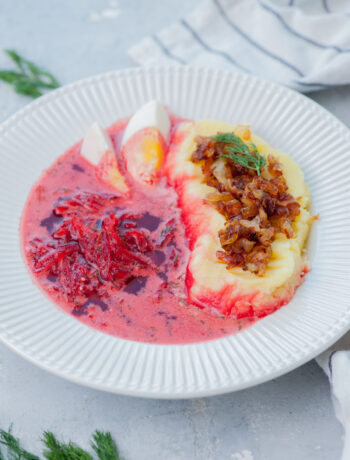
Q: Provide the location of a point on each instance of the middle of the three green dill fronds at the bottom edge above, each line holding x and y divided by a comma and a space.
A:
56, 450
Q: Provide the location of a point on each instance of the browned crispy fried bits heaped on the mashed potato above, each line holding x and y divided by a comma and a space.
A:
255, 207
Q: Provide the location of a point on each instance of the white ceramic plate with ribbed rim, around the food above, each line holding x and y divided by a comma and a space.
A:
320, 311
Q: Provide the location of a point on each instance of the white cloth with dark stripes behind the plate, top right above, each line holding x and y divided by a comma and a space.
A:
304, 44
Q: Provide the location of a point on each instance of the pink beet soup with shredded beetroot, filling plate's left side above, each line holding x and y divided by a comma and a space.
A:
116, 264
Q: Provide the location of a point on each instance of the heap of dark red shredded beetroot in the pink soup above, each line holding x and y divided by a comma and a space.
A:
92, 247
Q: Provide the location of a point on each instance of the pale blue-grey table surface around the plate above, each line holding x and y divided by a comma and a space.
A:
291, 417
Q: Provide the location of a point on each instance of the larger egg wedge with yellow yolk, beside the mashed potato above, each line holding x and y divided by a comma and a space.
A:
144, 142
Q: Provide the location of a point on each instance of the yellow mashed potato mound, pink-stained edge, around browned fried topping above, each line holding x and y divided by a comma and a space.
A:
209, 282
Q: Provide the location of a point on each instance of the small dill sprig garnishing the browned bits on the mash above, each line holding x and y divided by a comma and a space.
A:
236, 150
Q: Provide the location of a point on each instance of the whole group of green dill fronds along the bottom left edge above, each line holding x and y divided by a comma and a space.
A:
102, 444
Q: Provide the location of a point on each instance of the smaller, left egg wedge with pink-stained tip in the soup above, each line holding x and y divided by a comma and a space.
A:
98, 150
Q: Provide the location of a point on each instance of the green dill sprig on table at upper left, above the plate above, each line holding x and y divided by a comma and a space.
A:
29, 79
